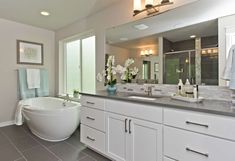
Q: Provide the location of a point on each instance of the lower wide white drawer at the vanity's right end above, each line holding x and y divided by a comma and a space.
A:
189, 146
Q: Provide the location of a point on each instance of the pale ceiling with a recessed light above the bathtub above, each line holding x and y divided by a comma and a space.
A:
63, 12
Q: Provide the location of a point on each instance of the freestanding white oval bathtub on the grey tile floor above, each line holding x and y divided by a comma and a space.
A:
51, 119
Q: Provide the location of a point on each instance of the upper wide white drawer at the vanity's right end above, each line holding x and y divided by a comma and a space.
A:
216, 125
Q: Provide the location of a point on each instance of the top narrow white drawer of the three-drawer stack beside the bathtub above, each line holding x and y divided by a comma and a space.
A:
92, 102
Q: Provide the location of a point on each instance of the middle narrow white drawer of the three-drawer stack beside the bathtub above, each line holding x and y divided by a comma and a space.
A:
93, 118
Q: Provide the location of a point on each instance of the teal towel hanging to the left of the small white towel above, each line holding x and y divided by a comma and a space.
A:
24, 91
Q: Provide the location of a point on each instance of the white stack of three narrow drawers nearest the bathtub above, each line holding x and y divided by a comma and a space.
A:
93, 123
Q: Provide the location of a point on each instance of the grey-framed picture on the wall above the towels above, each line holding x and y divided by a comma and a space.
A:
29, 53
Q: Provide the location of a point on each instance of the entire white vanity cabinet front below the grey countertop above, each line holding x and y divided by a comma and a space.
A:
129, 131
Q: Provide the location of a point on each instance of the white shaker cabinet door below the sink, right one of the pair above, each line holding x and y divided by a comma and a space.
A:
145, 140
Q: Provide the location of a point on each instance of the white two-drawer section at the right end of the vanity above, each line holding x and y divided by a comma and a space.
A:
198, 136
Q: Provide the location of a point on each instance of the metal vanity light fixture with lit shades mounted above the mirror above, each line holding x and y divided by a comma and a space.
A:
150, 7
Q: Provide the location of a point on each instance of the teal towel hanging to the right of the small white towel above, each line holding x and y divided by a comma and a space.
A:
43, 91
